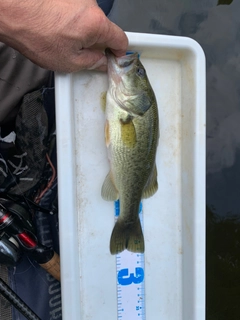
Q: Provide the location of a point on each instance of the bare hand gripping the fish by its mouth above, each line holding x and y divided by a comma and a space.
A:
61, 35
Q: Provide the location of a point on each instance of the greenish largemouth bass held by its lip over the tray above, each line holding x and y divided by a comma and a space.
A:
131, 135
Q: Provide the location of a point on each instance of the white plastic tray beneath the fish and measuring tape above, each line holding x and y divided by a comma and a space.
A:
174, 218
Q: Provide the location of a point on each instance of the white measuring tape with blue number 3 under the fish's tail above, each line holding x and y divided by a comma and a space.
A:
130, 280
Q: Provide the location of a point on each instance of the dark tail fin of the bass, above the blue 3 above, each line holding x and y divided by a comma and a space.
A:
127, 236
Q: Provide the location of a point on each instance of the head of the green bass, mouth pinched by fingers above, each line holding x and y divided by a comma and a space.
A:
129, 84
